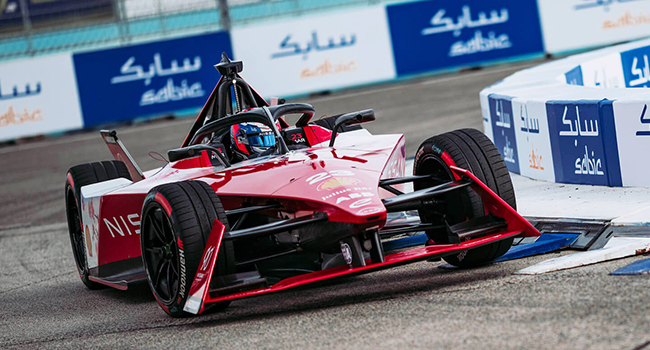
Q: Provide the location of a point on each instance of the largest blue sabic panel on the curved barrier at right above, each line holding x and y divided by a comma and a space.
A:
583, 142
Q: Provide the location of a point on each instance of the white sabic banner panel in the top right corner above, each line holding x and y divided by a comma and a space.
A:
577, 24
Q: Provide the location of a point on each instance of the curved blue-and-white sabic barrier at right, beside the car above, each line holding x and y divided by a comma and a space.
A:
580, 120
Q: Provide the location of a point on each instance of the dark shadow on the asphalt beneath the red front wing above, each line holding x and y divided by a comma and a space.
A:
352, 291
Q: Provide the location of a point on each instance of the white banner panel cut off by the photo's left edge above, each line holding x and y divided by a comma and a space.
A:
38, 96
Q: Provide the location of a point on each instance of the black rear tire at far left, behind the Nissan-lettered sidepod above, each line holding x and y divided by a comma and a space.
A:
78, 176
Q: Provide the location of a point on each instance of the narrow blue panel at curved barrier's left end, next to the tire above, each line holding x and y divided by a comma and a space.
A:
503, 129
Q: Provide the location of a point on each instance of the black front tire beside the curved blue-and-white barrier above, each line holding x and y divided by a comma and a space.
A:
468, 149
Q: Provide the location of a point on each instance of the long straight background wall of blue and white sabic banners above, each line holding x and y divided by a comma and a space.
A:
307, 54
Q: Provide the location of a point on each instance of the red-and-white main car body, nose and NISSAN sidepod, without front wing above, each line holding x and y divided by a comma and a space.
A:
304, 181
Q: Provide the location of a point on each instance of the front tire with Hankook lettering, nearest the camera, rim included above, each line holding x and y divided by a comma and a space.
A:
176, 222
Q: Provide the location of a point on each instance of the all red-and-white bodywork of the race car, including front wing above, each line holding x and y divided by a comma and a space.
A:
341, 181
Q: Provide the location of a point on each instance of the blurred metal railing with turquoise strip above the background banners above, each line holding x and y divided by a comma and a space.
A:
34, 27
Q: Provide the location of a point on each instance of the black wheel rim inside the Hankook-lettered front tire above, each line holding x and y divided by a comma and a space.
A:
161, 254
